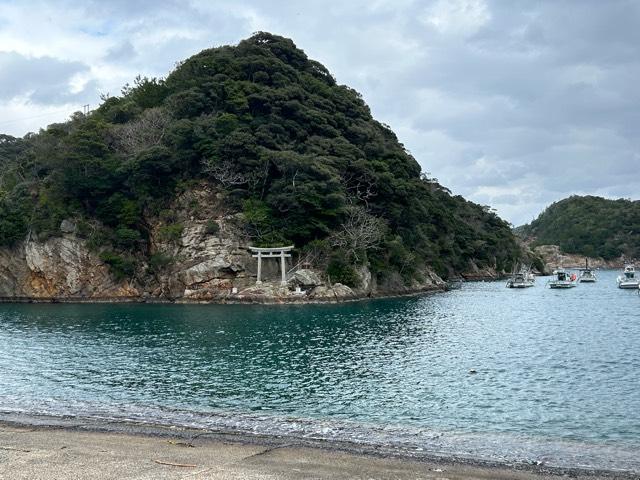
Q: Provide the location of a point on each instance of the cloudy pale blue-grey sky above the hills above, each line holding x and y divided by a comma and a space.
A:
513, 104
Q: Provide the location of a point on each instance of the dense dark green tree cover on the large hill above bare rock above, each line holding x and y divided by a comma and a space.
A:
297, 157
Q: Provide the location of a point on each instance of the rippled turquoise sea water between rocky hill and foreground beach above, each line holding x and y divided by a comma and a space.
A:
557, 371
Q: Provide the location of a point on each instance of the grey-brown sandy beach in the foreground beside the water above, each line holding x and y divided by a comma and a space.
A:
34, 447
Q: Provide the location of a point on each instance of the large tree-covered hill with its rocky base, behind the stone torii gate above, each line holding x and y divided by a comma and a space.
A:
160, 193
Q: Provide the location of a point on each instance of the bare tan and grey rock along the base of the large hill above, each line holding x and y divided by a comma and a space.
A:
200, 266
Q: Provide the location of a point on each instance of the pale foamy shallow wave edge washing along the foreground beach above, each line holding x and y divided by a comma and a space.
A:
417, 444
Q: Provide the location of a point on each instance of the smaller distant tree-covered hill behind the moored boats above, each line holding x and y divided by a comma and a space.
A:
590, 226
